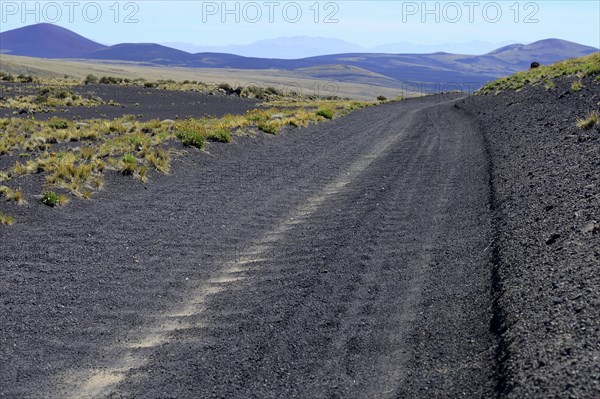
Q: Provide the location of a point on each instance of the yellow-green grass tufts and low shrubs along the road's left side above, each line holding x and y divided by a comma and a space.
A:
73, 157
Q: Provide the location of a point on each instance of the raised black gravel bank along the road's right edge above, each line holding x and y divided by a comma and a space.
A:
545, 177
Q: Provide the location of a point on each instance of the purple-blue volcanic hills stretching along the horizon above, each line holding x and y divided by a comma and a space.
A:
51, 41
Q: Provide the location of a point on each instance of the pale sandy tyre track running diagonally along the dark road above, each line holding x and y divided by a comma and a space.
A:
101, 381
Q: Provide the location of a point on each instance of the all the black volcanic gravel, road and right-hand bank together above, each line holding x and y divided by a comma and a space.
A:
435, 247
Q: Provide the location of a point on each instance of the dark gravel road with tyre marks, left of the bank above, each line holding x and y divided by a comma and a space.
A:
349, 259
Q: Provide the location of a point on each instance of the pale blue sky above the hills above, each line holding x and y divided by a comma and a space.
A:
367, 23
